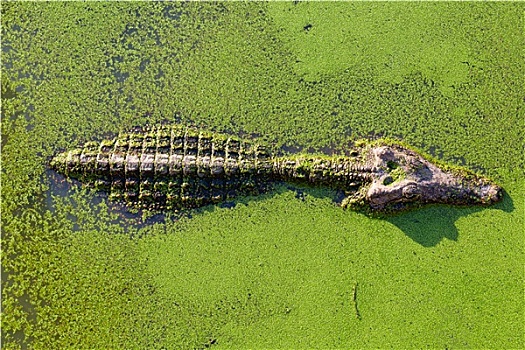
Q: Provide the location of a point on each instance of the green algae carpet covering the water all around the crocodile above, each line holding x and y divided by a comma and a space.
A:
276, 270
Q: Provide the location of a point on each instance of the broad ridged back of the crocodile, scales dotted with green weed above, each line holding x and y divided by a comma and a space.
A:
173, 167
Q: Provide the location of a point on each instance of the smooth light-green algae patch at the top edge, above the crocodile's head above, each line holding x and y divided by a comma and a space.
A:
328, 38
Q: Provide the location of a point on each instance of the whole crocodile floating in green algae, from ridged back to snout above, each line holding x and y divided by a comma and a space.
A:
176, 167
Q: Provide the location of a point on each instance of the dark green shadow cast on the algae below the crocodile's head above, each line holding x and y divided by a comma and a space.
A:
428, 226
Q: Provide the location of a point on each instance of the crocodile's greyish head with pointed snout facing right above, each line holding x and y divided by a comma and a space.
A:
402, 178
